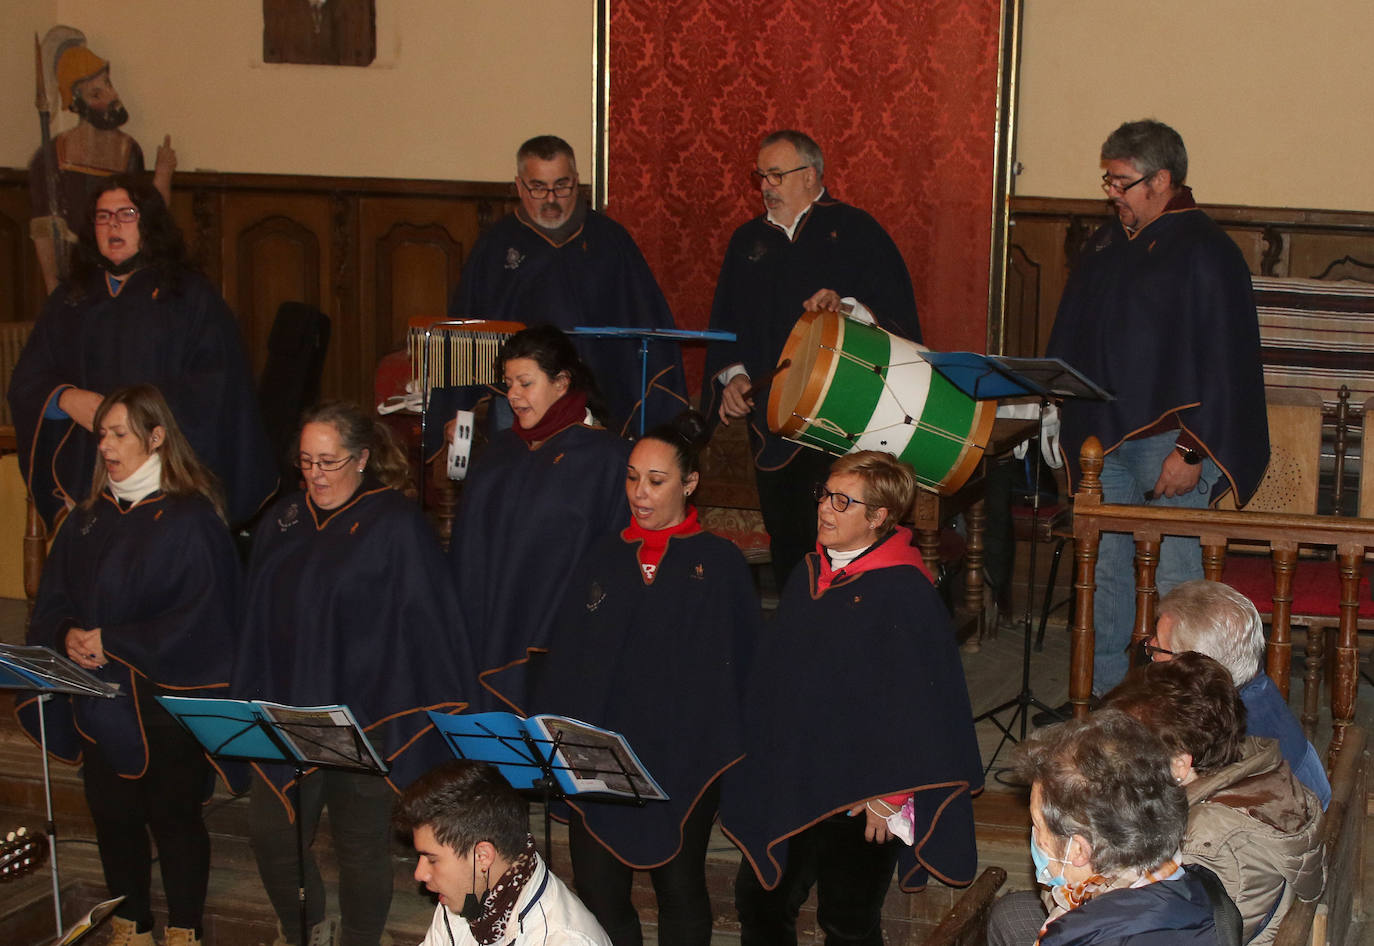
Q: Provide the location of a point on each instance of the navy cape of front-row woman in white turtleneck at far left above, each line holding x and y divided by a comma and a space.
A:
161, 581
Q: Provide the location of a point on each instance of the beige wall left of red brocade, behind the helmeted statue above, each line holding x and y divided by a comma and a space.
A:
450, 95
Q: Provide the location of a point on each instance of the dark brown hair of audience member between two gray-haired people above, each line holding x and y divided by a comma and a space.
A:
1191, 704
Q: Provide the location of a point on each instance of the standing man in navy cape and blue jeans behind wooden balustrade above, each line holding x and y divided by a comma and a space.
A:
1159, 311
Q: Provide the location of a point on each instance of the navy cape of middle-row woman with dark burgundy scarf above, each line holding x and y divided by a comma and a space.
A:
527, 518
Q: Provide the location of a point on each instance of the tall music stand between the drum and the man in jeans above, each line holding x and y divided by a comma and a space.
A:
987, 377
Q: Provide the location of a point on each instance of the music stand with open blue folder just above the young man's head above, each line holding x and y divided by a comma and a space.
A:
541, 765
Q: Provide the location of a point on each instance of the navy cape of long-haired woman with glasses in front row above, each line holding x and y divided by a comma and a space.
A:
355, 606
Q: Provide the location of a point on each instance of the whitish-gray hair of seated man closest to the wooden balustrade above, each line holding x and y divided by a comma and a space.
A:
1217, 620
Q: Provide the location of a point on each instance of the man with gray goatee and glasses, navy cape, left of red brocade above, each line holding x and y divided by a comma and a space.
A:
561, 263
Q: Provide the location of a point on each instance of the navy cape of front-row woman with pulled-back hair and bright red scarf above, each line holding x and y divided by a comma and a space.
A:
662, 664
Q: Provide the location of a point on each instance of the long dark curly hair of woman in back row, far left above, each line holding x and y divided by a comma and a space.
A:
161, 245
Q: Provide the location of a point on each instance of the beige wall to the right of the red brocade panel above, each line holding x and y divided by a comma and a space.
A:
1272, 97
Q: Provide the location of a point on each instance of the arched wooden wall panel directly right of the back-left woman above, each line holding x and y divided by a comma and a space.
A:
277, 249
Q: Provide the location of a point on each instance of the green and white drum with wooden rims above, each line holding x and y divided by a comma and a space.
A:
853, 387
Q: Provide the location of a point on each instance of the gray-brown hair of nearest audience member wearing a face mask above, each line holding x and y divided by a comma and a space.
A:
1108, 781
